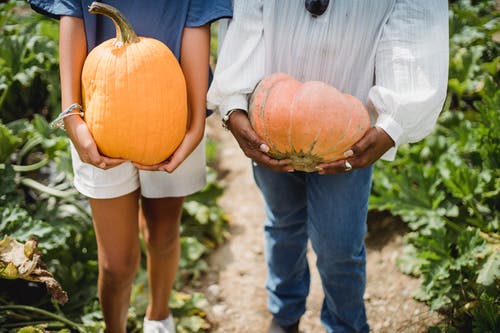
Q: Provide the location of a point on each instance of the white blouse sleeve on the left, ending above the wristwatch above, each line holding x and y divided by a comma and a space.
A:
240, 63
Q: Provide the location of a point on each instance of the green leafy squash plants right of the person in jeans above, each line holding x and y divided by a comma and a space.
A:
447, 187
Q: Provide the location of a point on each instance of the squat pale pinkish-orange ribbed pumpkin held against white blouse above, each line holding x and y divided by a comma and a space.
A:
308, 123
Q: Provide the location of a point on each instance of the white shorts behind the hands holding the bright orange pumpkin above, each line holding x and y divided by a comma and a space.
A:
97, 183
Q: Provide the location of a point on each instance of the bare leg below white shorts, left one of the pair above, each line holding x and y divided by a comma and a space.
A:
116, 228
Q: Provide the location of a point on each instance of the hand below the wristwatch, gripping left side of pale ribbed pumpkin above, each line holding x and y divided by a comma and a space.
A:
252, 145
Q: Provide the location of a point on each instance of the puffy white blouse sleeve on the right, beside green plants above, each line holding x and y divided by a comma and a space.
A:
411, 71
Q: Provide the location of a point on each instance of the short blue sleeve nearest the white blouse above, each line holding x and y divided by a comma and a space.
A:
202, 12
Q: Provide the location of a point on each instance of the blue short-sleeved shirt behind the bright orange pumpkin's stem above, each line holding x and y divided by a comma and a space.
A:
160, 19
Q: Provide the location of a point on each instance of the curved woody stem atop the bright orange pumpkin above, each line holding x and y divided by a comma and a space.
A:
125, 34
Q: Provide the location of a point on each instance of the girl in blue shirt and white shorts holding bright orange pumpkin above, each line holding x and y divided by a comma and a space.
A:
116, 188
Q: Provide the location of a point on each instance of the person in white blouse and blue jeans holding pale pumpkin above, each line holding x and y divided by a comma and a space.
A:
390, 54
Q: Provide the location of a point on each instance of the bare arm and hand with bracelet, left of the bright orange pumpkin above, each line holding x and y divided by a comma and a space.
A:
72, 53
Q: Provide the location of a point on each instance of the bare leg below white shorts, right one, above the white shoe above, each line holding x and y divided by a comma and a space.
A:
159, 223
